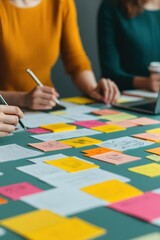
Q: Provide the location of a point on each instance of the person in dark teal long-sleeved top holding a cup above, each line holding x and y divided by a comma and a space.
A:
129, 40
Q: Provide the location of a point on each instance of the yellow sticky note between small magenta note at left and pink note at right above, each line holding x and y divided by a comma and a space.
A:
59, 127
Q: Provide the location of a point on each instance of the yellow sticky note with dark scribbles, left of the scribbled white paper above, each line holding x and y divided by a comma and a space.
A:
81, 142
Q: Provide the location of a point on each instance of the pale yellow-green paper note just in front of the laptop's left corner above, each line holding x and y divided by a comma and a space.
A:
118, 117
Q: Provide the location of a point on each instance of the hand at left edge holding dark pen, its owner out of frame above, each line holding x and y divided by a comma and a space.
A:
9, 117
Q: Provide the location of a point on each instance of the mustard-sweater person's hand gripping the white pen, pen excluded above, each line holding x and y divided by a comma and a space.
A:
41, 98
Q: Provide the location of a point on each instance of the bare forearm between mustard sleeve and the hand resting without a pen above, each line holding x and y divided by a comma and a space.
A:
85, 81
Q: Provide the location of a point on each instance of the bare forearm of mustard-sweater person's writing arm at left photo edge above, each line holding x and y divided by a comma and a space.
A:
15, 98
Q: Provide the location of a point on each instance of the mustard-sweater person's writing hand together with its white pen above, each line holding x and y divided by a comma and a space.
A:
42, 97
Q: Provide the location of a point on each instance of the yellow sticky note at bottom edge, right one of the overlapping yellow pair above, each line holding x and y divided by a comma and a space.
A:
73, 229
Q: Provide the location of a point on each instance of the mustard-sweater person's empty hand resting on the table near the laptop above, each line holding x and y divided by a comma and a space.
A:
106, 91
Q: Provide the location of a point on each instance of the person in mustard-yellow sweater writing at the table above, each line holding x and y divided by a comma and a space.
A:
33, 35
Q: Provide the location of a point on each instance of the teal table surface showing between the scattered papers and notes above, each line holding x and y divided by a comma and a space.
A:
119, 226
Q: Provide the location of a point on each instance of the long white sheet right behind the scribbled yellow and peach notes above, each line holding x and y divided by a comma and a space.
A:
65, 135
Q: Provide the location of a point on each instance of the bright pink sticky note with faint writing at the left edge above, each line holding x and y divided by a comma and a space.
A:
18, 190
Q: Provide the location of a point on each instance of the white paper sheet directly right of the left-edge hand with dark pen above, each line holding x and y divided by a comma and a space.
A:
35, 120
